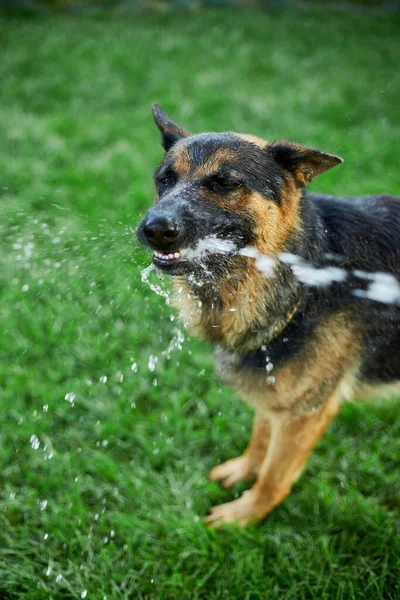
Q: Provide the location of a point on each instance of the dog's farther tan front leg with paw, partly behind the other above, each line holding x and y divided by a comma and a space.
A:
246, 467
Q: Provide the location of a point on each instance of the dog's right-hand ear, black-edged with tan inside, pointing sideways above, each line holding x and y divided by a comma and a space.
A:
303, 163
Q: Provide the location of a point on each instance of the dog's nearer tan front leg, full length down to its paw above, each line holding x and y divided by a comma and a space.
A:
291, 441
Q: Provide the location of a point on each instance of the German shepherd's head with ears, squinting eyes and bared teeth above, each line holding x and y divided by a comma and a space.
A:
217, 193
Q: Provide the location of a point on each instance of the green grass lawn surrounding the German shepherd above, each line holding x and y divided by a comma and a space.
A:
112, 500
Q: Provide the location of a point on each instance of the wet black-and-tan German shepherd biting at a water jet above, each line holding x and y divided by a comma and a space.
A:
290, 343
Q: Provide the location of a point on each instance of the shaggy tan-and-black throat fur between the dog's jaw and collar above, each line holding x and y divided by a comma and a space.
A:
240, 311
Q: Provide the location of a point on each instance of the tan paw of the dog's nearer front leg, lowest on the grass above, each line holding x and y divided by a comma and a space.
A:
243, 511
